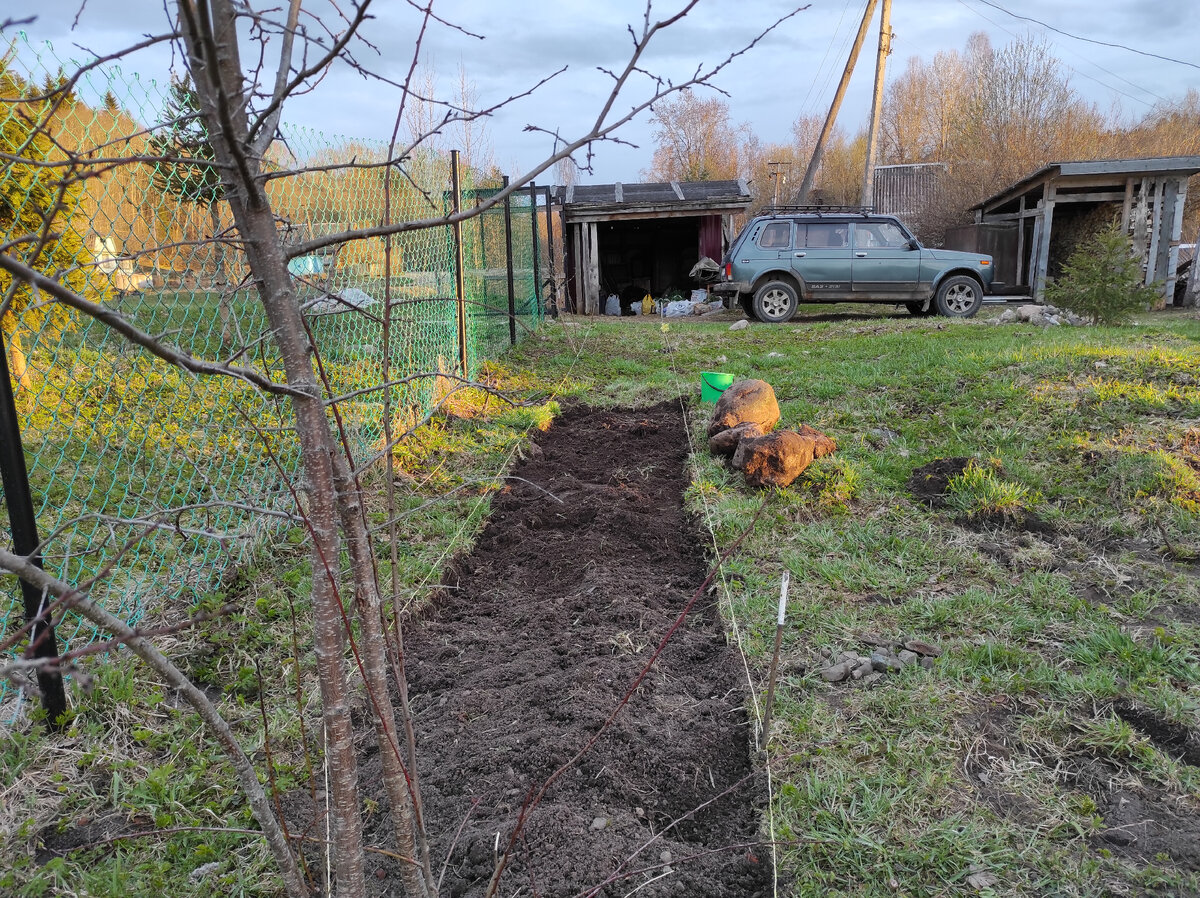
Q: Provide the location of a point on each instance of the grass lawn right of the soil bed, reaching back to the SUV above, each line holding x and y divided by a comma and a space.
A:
1001, 770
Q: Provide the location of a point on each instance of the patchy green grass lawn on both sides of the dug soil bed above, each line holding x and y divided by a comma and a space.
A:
1059, 579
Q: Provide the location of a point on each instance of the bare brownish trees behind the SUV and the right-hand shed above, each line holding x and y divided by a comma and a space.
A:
989, 116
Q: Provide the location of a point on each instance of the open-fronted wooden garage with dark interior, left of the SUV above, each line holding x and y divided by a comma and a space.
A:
623, 238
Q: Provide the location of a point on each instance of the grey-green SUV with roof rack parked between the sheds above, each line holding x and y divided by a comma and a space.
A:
833, 255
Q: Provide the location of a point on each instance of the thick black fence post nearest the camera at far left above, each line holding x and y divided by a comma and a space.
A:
25, 542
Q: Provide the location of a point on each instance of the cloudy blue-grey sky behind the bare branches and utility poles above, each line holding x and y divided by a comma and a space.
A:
793, 73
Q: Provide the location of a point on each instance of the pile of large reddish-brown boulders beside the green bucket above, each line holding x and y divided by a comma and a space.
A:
742, 428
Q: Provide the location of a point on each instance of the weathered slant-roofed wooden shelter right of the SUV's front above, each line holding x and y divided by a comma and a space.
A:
1063, 205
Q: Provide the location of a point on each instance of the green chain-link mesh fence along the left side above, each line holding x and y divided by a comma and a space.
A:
157, 482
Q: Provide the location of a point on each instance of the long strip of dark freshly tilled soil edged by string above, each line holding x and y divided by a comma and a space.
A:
584, 567
